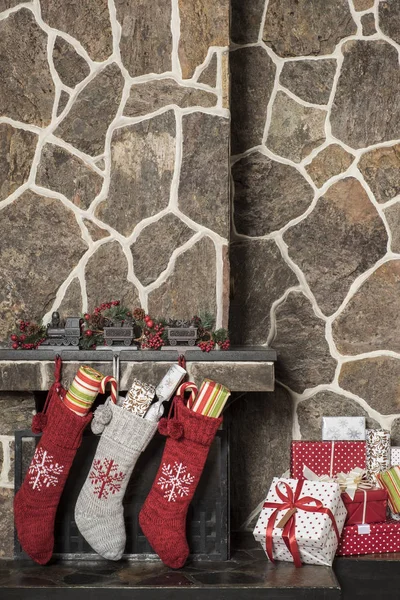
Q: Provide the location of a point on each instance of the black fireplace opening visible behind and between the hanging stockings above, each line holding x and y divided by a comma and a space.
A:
208, 515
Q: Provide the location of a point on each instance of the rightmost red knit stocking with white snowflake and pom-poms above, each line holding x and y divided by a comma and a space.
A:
163, 515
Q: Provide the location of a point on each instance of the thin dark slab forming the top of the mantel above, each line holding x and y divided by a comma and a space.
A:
235, 354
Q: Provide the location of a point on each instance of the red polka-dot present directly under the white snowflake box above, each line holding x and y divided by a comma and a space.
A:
327, 458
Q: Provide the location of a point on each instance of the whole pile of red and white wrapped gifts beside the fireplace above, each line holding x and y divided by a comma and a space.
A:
337, 499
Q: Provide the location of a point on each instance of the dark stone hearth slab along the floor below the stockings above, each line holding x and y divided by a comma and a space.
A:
246, 576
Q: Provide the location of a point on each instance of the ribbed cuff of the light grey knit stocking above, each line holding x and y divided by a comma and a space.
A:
128, 429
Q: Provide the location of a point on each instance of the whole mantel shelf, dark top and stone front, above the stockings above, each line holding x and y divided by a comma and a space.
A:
244, 369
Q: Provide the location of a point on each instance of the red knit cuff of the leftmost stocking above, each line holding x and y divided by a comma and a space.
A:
64, 427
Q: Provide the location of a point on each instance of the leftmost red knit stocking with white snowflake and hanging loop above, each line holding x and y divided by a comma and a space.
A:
36, 502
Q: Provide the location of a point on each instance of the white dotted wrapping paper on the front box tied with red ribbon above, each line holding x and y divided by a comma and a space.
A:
315, 535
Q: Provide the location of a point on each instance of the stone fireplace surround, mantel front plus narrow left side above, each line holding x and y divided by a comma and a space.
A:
25, 373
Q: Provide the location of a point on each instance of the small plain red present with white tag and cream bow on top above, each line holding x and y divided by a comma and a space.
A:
368, 506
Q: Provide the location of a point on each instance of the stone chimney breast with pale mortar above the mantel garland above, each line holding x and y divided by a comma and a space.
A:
114, 146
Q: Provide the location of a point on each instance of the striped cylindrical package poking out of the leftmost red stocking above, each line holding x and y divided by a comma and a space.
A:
83, 390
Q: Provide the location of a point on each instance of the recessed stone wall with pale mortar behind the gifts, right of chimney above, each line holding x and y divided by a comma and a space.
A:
315, 254
